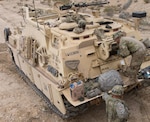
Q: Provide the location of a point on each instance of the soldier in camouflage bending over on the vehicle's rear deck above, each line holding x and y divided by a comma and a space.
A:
130, 46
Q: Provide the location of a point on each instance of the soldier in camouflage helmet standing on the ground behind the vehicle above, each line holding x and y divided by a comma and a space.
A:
116, 108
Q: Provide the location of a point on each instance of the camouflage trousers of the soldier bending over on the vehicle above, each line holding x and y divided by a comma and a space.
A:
137, 59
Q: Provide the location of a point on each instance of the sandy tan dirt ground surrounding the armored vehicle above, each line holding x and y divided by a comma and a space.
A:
18, 103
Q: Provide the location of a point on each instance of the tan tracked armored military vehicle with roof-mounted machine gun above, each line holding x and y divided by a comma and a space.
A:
58, 58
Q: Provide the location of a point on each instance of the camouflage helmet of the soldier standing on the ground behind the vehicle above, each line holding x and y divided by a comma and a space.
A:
117, 90
